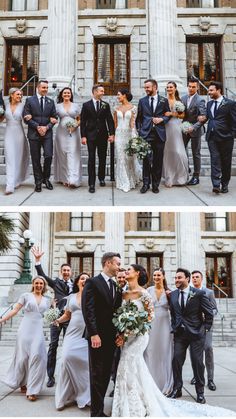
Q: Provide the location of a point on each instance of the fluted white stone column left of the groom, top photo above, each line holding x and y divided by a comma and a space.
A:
62, 41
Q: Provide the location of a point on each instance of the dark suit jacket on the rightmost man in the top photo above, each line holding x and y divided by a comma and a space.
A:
223, 126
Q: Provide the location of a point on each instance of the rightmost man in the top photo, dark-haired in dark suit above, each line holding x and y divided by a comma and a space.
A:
221, 131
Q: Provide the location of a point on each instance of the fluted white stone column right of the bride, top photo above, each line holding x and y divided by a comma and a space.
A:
162, 41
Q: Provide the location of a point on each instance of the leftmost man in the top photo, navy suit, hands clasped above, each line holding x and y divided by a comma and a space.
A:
40, 135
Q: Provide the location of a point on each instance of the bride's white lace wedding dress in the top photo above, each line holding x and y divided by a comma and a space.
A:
128, 169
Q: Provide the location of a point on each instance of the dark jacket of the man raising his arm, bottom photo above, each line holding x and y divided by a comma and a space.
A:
58, 285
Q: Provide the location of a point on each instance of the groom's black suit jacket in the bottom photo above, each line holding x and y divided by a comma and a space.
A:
98, 308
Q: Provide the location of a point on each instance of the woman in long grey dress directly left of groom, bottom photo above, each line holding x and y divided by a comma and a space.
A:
73, 382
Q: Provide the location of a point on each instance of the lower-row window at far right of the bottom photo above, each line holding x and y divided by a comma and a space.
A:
218, 272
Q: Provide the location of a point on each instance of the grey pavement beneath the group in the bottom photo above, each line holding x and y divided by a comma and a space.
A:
14, 404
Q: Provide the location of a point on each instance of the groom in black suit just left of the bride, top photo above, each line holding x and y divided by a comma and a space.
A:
97, 129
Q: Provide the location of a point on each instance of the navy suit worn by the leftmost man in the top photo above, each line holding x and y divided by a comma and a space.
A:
39, 118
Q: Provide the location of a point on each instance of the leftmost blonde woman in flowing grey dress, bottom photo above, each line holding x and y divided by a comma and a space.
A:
28, 367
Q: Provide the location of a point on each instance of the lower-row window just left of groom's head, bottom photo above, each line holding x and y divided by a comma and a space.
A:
81, 262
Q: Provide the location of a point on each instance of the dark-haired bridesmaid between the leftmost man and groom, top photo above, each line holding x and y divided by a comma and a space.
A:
67, 146
